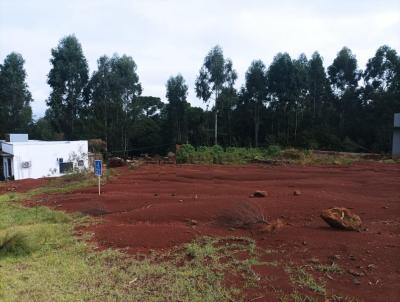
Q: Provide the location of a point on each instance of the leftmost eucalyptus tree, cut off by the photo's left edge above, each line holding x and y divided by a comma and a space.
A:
15, 98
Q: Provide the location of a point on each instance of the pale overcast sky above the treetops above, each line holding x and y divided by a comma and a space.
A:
169, 37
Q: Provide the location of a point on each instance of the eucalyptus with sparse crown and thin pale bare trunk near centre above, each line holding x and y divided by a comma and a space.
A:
216, 74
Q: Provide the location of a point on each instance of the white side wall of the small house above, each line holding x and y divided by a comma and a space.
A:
43, 157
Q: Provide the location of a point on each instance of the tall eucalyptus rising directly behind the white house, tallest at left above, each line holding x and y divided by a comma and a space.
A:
67, 78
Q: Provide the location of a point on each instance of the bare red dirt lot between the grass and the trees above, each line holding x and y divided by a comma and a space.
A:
161, 206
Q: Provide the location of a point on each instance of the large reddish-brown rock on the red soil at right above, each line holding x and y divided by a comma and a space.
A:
342, 218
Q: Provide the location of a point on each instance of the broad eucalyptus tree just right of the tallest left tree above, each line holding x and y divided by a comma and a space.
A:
113, 92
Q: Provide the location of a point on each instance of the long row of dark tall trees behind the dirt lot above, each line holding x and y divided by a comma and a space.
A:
293, 102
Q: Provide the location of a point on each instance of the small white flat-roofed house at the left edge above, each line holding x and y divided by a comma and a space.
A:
22, 158
